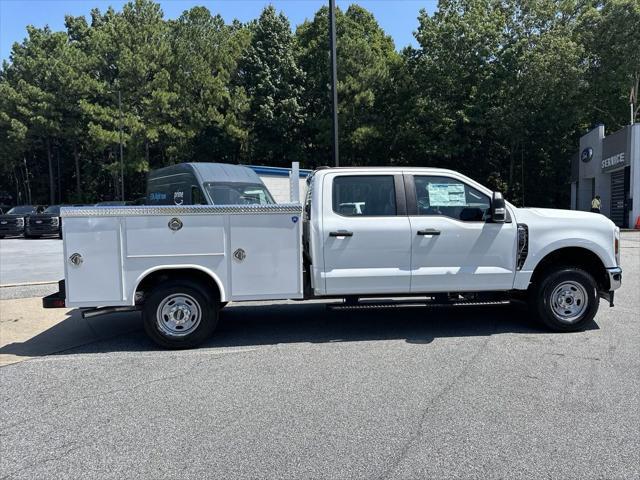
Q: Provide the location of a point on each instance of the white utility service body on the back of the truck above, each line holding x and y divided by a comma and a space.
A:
253, 252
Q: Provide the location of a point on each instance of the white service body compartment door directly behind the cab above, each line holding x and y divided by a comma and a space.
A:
266, 256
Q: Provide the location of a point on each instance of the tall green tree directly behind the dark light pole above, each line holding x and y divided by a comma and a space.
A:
366, 58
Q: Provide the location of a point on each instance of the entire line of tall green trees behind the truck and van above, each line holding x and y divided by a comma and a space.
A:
500, 89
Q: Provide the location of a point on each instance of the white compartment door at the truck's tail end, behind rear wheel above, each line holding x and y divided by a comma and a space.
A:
96, 278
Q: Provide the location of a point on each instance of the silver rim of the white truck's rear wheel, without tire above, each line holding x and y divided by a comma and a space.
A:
178, 315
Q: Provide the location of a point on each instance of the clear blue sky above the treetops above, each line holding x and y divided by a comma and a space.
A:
398, 18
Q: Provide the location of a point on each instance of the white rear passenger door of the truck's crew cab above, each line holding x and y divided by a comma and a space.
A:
366, 234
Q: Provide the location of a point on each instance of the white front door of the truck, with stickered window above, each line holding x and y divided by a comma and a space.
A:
453, 247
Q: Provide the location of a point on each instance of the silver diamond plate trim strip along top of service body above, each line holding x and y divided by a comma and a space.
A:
161, 210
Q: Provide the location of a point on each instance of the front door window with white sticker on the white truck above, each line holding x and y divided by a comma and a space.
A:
452, 198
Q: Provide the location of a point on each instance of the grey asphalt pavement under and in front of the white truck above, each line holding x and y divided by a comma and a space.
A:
296, 391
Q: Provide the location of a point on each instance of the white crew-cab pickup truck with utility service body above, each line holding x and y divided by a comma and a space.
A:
362, 233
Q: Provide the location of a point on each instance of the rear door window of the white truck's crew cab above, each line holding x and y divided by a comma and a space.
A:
364, 196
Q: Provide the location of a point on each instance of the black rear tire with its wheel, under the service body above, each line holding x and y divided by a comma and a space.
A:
185, 294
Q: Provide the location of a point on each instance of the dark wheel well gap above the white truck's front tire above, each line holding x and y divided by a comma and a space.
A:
574, 257
